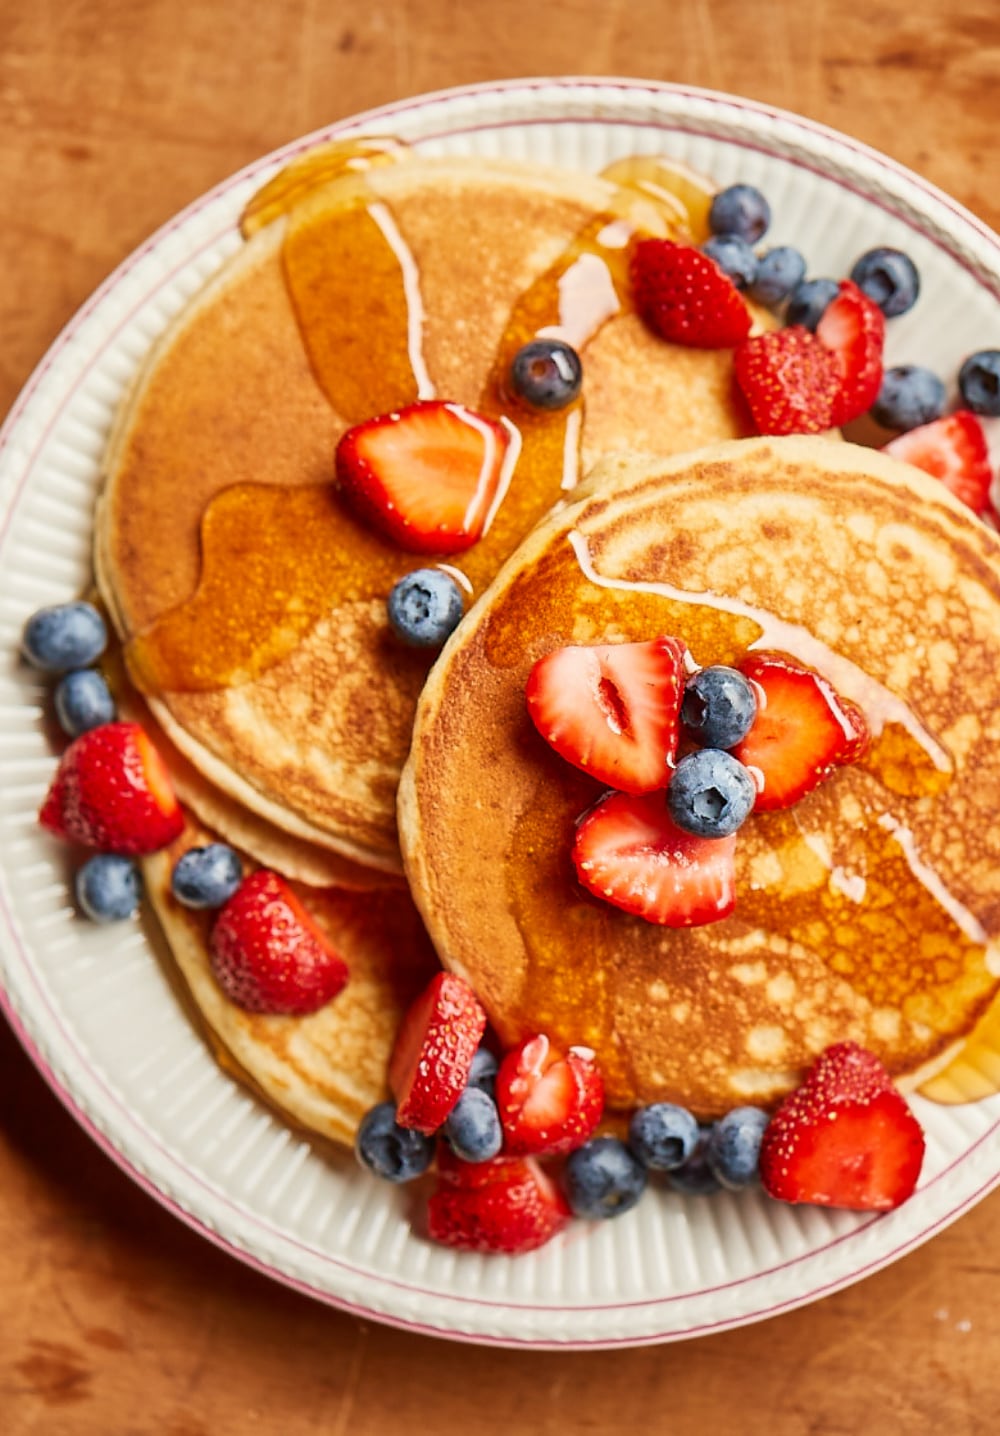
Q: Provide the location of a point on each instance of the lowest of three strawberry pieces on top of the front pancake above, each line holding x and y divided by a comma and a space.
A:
631, 854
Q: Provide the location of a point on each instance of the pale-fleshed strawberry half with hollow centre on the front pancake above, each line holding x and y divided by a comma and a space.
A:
613, 710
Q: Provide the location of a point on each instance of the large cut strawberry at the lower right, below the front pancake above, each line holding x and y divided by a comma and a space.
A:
847, 1138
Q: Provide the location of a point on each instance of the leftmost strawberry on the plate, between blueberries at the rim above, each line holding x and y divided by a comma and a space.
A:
113, 792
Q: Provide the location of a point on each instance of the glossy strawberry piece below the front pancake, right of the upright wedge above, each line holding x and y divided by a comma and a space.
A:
548, 1101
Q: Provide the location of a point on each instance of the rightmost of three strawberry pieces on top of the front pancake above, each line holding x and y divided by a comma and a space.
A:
801, 732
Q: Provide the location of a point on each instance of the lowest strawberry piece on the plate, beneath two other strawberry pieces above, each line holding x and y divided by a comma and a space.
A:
501, 1217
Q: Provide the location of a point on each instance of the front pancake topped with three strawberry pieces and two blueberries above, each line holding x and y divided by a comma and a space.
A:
870, 911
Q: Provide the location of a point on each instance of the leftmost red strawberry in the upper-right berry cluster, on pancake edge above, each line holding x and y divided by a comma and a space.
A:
686, 298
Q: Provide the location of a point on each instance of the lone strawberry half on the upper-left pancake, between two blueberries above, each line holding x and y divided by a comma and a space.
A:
426, 476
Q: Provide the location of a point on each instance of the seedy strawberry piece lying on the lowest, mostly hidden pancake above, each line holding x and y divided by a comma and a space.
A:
268, 954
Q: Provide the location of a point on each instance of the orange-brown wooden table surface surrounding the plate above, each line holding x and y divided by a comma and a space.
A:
117, 1319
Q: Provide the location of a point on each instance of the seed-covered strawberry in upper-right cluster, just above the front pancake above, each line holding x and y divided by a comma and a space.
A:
790, 380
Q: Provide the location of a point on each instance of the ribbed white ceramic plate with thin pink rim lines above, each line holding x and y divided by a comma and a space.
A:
94, 1007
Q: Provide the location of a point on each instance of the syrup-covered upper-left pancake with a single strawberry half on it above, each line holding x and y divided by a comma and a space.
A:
252, 605
